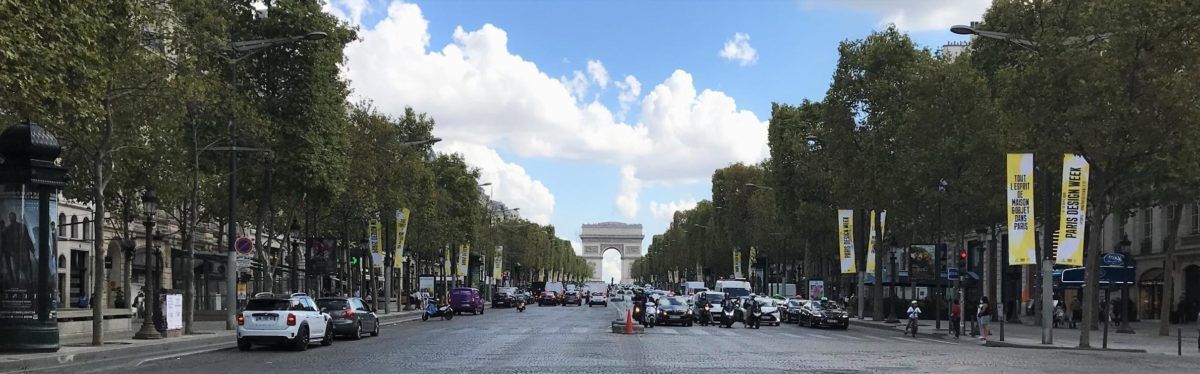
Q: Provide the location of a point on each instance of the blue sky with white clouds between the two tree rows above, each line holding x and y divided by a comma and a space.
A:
517, 88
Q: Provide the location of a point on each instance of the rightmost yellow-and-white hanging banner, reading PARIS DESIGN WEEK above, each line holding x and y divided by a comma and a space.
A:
1075, 210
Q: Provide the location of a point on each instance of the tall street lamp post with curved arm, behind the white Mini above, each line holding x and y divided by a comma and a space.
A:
236, 53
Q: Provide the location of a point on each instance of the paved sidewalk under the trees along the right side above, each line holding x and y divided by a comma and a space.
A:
1145, 340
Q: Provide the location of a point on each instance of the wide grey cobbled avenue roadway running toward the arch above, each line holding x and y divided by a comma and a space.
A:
577, 340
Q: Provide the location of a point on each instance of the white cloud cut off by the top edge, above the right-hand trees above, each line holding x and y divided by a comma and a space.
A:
919, 15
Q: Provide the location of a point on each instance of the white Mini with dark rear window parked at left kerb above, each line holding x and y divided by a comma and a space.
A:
292, 321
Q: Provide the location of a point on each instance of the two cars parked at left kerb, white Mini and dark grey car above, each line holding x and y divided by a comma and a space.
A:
297, 321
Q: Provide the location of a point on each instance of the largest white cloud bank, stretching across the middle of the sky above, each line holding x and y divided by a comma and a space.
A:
484, 95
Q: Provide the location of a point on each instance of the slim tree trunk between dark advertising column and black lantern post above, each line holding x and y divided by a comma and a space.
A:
98, 251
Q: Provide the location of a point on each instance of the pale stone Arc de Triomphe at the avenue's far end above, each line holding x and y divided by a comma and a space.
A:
599, 238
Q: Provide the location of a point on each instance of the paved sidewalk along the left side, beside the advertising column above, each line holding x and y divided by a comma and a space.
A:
77, 351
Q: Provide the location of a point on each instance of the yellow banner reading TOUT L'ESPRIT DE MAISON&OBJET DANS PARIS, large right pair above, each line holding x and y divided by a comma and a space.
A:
1021, 209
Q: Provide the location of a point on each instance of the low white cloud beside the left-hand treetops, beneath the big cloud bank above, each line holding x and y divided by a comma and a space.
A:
511, 183
